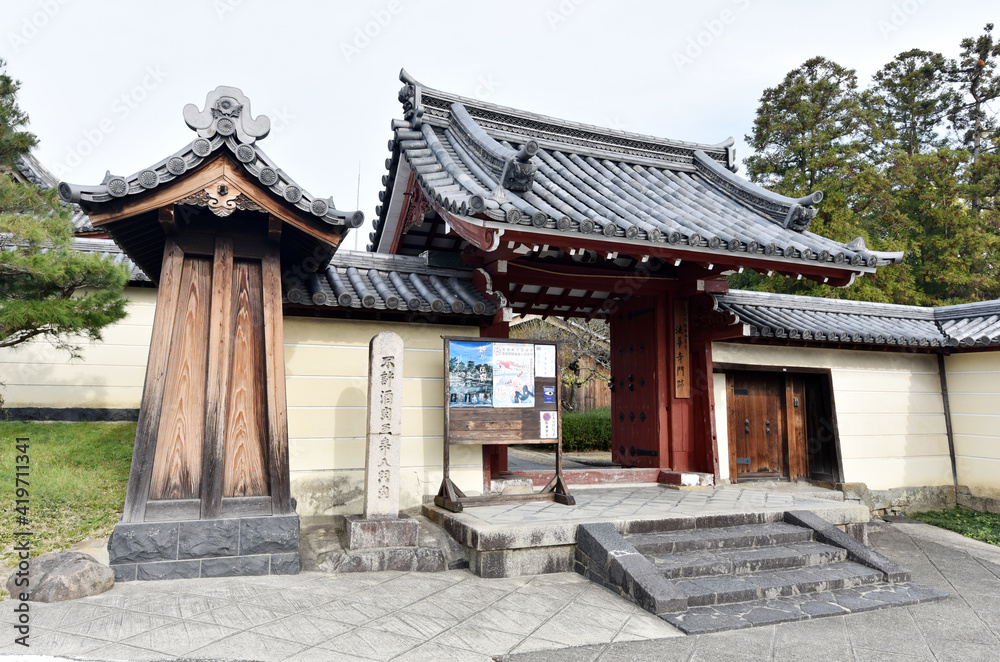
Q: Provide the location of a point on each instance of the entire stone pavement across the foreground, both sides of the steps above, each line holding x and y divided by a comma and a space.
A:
458, 616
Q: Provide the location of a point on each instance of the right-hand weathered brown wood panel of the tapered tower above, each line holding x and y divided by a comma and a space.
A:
246, 427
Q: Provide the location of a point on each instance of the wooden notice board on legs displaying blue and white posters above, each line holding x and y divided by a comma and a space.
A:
501, 391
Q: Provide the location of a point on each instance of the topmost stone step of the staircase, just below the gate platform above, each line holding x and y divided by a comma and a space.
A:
729, 537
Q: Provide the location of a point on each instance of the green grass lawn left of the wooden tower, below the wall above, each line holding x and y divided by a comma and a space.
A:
77, 482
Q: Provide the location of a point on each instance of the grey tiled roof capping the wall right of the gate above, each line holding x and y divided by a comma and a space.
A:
859, 322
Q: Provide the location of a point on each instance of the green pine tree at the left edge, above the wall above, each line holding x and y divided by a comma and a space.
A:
47, 290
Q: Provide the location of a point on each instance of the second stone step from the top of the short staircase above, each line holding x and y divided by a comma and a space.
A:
704, 563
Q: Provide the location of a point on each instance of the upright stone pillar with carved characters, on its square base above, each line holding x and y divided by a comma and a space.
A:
381, 525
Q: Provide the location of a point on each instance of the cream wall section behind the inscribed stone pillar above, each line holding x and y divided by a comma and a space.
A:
326, 366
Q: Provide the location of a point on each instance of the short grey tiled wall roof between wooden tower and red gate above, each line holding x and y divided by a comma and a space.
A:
356, 279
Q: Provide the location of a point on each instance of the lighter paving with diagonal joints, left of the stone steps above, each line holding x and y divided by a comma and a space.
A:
314, 616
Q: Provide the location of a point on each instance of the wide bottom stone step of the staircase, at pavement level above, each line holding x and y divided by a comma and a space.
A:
838, 602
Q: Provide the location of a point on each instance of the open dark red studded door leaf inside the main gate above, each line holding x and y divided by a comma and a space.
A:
634, 433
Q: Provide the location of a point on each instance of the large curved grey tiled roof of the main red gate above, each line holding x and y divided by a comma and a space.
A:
478, 159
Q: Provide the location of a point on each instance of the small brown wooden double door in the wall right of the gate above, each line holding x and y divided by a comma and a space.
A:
780, 427
